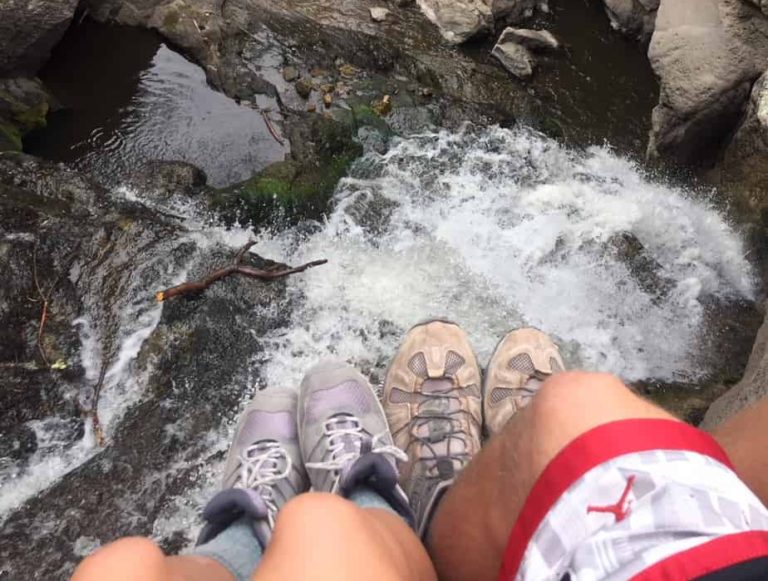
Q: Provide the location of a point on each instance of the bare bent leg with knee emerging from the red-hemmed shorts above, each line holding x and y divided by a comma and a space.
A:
490, 493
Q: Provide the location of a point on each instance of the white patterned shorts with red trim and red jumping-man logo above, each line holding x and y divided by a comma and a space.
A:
639, 499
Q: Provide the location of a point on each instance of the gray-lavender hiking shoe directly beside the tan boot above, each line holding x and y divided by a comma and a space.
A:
344, 436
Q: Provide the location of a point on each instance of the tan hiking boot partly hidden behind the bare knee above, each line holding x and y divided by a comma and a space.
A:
518, 367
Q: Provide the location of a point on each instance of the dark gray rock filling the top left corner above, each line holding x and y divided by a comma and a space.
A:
28, 31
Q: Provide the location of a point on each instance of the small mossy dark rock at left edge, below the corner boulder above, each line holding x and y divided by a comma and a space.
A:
24, 105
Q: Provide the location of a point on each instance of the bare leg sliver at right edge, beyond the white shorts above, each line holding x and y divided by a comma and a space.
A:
745, 439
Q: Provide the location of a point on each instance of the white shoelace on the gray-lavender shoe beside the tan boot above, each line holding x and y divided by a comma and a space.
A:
339, 430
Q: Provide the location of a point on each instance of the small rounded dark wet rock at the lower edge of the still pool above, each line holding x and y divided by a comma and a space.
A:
165, 179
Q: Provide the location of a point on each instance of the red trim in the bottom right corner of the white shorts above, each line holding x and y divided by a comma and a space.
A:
710, 557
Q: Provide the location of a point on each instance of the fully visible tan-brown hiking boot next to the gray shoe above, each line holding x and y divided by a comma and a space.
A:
433, 403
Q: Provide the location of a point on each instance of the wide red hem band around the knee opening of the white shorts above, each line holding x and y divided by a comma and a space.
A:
595, 447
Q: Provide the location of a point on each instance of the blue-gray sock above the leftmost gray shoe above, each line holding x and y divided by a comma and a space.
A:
236, 547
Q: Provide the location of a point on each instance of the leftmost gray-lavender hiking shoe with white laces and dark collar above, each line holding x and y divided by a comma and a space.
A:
264, 469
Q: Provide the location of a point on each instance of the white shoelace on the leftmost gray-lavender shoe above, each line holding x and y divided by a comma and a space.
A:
259, 470
